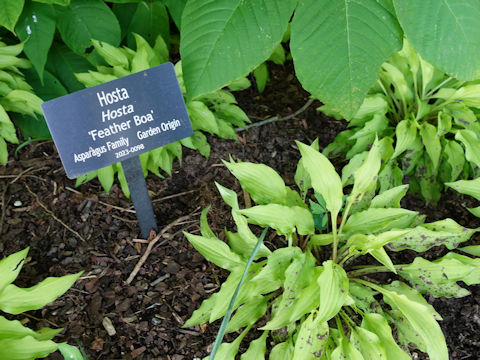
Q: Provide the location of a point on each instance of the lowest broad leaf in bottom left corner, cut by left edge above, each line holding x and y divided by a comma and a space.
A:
26, 348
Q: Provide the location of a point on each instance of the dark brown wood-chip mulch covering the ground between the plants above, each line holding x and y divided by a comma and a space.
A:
70, 229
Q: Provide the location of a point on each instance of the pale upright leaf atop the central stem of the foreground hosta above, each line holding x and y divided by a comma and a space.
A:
324, 178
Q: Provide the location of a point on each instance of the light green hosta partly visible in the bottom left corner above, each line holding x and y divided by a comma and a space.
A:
16, 340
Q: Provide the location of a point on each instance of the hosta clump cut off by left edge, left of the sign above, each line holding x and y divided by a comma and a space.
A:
15, 95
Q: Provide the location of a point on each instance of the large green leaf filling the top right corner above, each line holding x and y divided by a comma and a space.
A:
446, 42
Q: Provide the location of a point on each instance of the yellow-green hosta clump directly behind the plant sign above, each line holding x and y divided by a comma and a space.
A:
215, 113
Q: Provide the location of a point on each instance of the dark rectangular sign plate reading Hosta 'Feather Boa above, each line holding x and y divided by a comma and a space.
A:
111, 122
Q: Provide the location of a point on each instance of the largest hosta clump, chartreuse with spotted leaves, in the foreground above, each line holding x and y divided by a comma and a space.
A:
317, 297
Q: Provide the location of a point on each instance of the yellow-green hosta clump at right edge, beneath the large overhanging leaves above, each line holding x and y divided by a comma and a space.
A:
431, 117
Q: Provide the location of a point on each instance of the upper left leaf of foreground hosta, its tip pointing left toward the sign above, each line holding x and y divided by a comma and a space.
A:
262, 182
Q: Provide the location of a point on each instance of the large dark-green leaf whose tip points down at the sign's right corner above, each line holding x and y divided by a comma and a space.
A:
222, 40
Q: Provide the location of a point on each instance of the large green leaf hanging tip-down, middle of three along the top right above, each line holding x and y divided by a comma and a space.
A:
338, 47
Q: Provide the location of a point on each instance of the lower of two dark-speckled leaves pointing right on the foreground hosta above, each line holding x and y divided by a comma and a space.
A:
439, 277
